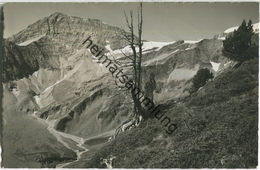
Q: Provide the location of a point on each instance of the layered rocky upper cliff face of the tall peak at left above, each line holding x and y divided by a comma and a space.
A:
43, 43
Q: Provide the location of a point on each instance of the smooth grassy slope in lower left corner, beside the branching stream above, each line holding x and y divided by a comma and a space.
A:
26, 142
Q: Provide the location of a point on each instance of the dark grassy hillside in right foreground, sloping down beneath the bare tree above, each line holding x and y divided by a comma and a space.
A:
217, 127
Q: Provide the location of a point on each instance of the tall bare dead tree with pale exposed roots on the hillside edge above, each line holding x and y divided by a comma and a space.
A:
133, 62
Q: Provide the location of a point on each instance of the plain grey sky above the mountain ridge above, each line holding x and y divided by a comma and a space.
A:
164, 21
